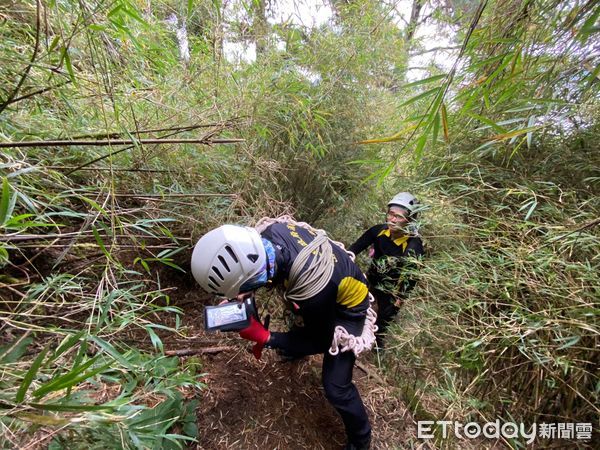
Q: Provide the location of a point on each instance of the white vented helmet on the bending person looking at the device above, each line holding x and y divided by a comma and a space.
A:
226, 257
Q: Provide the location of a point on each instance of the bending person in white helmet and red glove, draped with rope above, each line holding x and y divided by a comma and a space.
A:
322, 285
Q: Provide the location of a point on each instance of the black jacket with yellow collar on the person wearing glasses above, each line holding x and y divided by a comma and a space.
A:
389, 257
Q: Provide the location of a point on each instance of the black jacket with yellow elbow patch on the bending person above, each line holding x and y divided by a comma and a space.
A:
343, 301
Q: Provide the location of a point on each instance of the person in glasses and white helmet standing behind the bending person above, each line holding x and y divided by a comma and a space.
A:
393, 242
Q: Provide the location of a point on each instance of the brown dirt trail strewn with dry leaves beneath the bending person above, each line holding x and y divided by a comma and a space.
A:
270, 404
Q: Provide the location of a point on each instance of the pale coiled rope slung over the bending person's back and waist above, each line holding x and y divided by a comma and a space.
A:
304, 283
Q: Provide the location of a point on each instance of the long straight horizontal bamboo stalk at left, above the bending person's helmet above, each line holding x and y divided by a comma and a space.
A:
107, 142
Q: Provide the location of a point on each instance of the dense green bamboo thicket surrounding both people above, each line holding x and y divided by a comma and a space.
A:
504, 321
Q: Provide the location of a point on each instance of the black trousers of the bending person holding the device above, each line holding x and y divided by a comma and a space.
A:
336, 378
